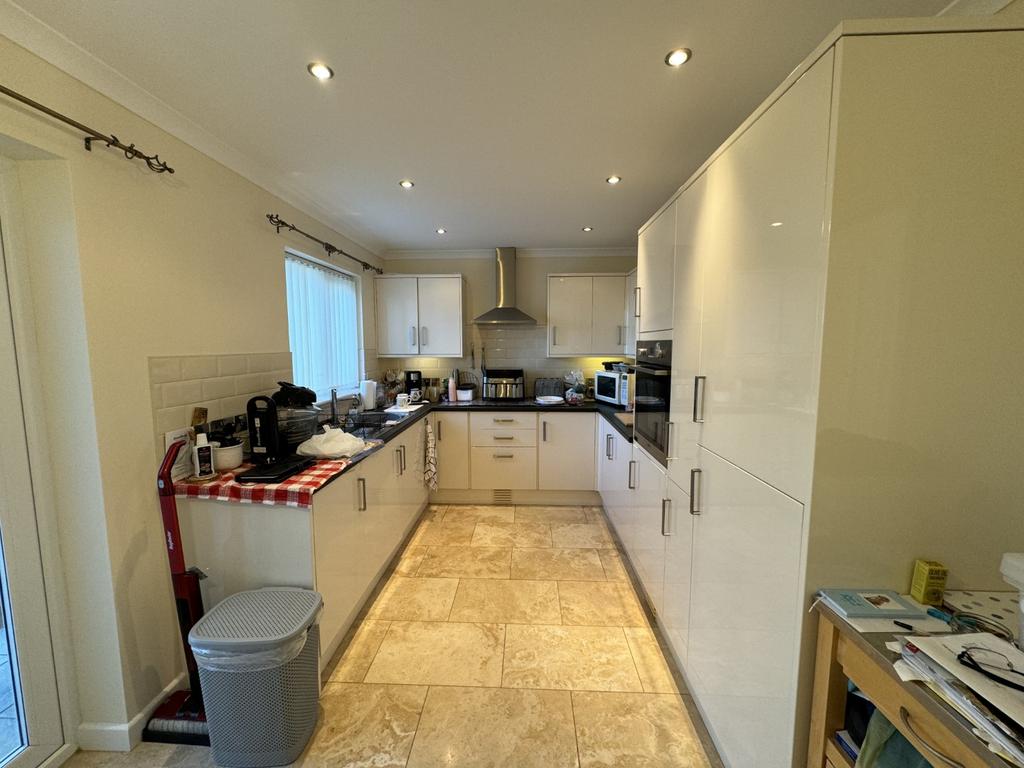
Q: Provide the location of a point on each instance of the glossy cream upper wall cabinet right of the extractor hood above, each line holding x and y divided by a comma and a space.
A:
586, 315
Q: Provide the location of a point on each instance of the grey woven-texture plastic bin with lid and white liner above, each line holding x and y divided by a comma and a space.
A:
259, 658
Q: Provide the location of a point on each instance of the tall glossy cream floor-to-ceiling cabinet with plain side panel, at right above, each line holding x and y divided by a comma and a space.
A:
842, 271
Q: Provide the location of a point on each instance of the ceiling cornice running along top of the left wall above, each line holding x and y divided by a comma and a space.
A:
46, 42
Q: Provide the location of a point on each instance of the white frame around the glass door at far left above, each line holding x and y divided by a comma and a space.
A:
35, 580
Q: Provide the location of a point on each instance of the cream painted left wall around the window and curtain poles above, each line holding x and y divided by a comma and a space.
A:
169, 266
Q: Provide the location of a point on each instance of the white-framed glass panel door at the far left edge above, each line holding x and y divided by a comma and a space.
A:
30, 715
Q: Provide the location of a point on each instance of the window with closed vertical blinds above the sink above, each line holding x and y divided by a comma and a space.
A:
323, 326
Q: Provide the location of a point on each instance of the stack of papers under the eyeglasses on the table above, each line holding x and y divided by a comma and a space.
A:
996, 711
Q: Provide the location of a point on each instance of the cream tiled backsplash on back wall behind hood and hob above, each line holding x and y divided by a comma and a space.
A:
504, 347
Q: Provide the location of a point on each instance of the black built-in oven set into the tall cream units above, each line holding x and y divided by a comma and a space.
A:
653, 390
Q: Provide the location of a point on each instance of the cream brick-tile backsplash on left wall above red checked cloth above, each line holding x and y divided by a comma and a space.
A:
221, 383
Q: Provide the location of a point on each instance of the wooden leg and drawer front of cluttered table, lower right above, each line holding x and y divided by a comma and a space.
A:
942, 736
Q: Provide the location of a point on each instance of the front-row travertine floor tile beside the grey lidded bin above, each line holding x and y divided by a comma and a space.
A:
366, 727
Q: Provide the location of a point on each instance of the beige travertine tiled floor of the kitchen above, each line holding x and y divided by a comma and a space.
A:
506, 637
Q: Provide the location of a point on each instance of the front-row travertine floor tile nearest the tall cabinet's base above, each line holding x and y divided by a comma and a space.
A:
630, 731
